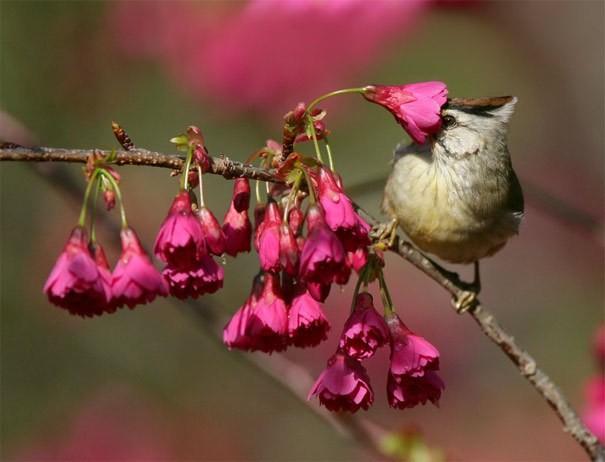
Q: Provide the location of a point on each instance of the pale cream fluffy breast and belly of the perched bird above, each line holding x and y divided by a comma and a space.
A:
446, 212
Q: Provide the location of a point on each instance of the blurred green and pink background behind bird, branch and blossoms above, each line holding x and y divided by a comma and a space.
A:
153, 383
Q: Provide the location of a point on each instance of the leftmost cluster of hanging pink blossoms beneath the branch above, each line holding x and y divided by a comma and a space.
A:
82, 283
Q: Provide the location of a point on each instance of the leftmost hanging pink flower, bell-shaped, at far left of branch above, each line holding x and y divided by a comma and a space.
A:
75, 282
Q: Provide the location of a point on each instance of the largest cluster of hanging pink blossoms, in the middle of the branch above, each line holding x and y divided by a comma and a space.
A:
298, 268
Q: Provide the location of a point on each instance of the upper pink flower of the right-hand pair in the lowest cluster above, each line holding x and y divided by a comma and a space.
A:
411, 355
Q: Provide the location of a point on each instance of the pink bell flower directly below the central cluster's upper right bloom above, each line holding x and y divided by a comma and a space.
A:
322, 256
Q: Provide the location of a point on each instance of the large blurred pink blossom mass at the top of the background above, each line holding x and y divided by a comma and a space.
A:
263, 55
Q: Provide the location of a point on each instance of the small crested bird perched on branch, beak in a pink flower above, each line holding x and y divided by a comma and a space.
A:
457, 196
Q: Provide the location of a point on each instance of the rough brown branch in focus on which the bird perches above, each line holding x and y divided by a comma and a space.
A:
524, 362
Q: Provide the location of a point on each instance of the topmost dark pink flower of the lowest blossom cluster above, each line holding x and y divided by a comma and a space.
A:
365, 331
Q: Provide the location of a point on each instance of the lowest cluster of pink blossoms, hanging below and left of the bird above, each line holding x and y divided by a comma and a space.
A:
412, 378
